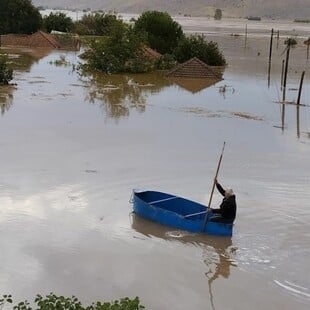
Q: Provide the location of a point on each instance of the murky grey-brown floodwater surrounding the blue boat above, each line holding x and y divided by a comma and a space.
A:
73, 147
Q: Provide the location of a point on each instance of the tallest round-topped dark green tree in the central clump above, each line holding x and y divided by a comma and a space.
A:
163, 33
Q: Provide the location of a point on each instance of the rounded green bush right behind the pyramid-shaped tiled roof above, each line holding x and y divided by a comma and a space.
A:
198, 46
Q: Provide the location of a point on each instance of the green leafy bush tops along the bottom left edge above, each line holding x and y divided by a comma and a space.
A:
54, 302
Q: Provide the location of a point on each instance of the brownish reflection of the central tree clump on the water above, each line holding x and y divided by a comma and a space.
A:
117, 94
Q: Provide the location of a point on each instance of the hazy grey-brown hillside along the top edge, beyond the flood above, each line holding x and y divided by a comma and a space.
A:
282, 9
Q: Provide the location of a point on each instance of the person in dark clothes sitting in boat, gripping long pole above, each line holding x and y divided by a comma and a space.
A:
227, 211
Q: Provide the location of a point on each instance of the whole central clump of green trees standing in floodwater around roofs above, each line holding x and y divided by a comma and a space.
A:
123, 49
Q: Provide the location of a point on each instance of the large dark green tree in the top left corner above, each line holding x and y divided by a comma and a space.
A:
19, 16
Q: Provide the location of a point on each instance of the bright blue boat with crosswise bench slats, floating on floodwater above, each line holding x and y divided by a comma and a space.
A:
177, 212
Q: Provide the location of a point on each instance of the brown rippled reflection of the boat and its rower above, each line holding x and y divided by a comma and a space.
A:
218, 252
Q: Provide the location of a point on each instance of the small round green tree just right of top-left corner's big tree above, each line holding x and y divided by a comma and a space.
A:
57, 21
